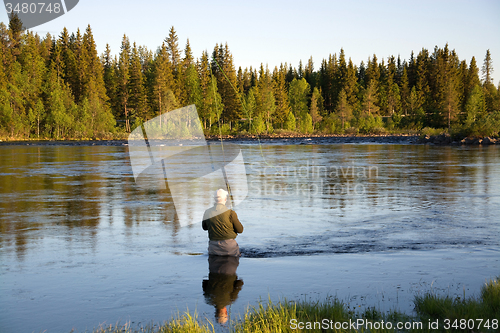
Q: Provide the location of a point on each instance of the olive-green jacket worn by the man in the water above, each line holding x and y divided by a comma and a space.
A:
221, 223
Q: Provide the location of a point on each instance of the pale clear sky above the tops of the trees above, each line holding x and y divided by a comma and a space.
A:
273, 32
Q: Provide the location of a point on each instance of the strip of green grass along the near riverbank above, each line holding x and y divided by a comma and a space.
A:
286, 316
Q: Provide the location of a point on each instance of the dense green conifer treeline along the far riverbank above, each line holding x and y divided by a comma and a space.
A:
59, 87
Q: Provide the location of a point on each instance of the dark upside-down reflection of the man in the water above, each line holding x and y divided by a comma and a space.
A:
222, 287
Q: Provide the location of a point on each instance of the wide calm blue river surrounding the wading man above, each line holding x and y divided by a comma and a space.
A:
82, 245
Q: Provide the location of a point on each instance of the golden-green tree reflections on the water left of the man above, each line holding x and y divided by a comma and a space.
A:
70, 191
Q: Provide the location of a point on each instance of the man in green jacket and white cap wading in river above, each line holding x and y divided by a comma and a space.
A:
223, 226
